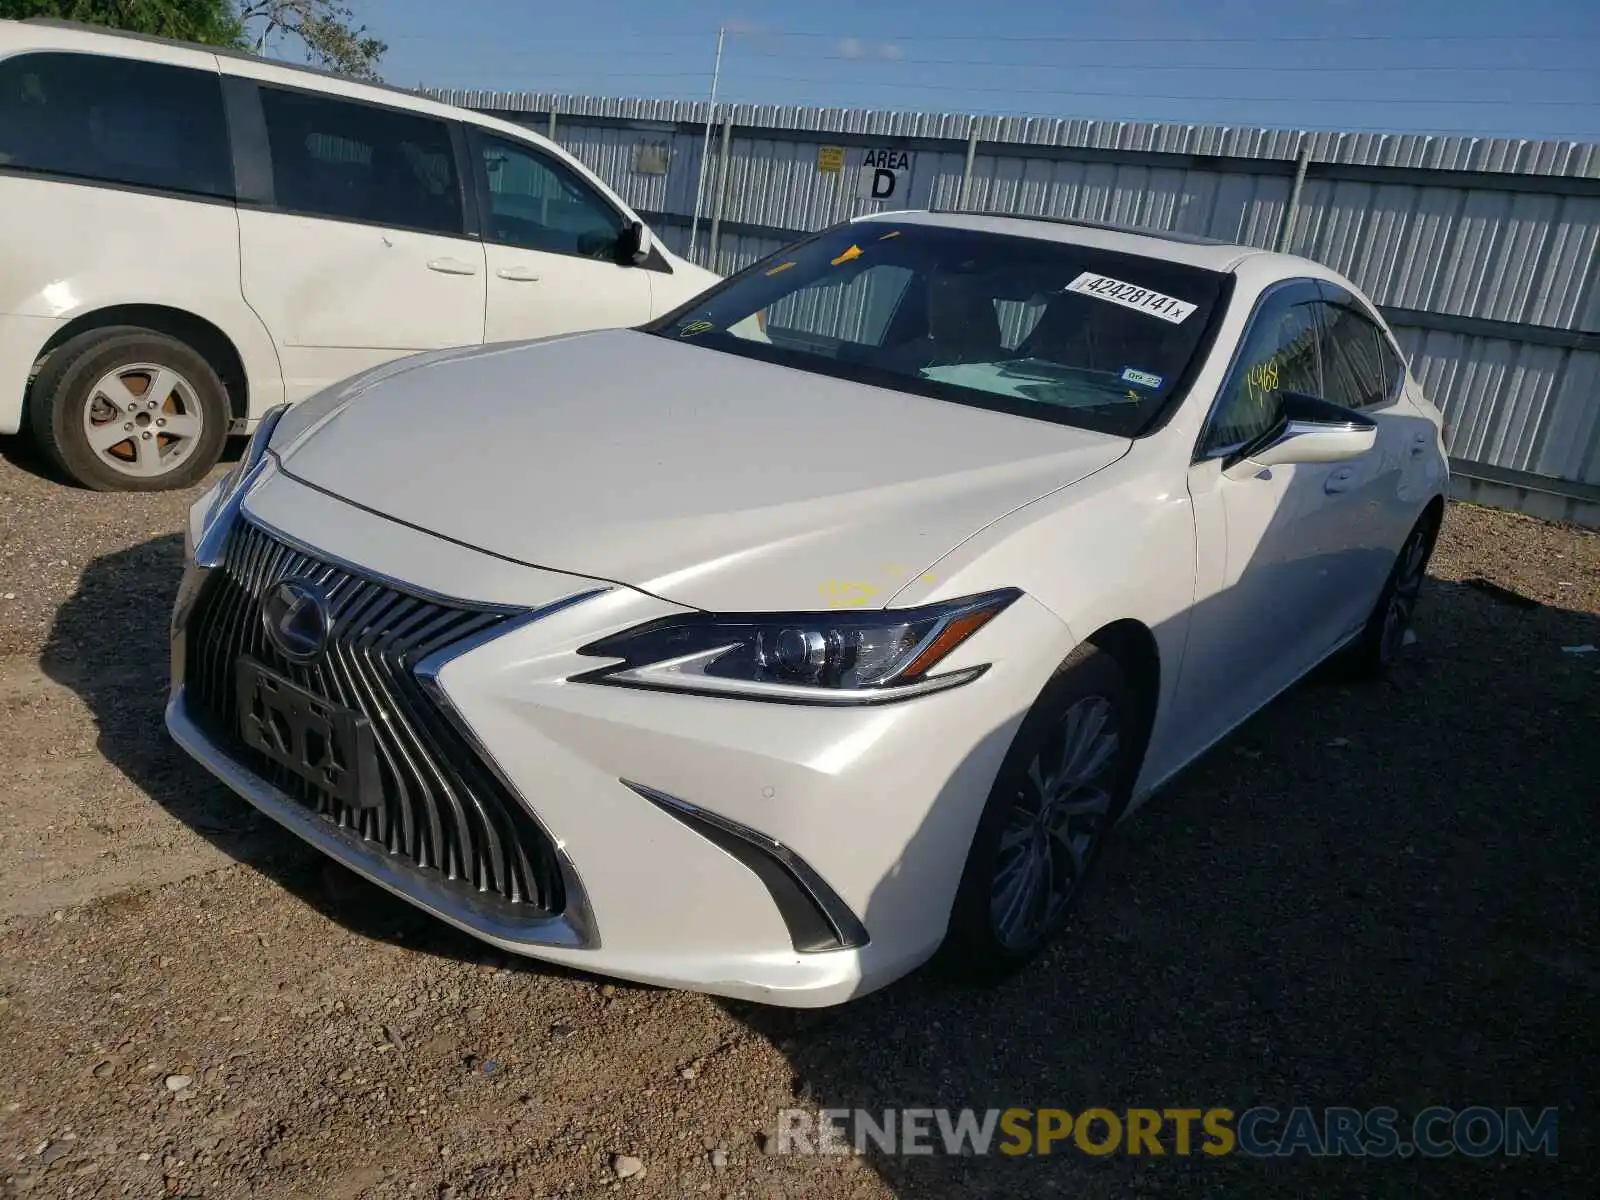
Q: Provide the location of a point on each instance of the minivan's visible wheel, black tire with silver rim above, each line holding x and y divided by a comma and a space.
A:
98, 385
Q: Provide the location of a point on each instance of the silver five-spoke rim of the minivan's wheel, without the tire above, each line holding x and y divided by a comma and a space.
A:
143, 420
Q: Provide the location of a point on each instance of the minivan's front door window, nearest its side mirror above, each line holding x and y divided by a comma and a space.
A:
538, 204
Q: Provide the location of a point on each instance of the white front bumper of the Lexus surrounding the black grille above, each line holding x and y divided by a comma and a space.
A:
857, 817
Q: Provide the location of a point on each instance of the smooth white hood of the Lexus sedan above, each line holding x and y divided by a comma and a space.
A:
708, 479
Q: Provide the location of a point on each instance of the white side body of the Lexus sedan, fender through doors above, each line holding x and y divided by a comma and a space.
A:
1106, 550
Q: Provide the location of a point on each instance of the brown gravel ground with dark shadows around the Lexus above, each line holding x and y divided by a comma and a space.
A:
1370, 895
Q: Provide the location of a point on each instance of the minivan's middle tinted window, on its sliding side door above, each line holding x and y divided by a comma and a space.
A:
361, 162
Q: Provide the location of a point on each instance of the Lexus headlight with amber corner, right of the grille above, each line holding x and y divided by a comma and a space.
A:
810, 658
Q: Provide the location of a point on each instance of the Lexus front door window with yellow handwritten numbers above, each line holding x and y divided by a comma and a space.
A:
1279, 356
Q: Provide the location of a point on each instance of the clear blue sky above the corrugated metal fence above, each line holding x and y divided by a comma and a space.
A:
1495, 68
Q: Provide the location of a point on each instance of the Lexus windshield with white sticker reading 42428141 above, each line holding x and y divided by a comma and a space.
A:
1025, 326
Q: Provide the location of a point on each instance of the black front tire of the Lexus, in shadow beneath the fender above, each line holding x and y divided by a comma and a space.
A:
980, 946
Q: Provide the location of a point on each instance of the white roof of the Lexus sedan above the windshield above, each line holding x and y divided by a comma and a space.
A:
1188, 249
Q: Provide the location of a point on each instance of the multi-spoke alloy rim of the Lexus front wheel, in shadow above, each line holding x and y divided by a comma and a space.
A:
1057, 818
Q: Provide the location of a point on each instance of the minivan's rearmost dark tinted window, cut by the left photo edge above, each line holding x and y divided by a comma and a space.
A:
116, 121
